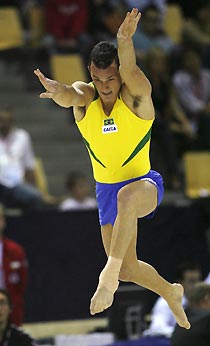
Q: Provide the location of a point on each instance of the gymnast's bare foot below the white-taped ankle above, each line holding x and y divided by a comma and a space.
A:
101, 300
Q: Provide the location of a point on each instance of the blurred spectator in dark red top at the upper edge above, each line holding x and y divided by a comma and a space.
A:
67, 23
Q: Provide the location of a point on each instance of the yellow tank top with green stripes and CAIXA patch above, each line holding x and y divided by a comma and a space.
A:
118, 144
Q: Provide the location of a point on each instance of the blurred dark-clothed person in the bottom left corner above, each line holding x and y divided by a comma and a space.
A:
10, 335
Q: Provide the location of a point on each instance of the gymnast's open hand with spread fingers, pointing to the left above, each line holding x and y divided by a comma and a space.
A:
53, 88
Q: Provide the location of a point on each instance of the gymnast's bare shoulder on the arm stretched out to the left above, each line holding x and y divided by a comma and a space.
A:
89, 92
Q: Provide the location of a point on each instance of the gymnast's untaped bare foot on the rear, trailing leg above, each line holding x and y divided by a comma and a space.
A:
174, 301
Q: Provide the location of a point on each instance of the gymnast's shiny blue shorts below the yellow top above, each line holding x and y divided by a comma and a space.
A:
106, 195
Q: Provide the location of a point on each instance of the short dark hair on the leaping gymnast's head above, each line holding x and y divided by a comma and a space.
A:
103, 54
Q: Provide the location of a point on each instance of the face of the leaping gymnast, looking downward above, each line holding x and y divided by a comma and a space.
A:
107, 81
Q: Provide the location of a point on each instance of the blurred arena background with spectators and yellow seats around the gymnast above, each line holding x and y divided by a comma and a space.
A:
53, 218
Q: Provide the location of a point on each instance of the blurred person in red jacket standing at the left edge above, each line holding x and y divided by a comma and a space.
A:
13, 272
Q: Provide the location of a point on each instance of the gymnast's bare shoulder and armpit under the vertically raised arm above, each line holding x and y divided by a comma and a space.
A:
139, 103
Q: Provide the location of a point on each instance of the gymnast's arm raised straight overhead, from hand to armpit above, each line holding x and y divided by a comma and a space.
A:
136, 89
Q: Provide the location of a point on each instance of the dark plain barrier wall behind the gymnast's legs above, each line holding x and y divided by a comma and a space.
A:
65, 254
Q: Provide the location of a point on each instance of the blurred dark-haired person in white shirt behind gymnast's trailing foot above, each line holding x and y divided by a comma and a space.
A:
162, 320
